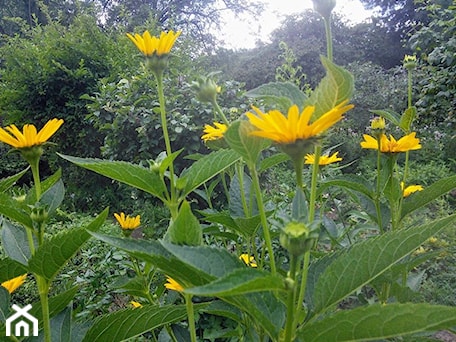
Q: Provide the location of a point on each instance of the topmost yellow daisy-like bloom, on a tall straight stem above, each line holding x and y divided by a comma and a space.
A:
151, 45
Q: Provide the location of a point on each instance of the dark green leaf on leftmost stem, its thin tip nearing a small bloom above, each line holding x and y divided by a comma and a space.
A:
52, 255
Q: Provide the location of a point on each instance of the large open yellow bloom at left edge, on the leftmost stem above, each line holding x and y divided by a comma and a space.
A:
29, 136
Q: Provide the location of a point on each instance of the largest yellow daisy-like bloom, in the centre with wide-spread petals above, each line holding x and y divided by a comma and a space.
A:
287, 130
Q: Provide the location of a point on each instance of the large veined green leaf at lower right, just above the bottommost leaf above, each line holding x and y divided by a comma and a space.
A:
365, 261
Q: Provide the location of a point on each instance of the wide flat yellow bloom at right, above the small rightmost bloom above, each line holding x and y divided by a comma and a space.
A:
391, 145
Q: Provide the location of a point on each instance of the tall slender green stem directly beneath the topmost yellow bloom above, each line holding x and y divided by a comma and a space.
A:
173, 205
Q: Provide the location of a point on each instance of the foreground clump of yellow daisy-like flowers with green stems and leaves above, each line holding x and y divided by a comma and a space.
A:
288, 271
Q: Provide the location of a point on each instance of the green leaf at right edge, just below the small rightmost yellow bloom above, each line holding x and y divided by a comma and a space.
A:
420, 199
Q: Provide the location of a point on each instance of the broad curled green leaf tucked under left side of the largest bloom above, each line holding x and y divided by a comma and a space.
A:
248, 146
